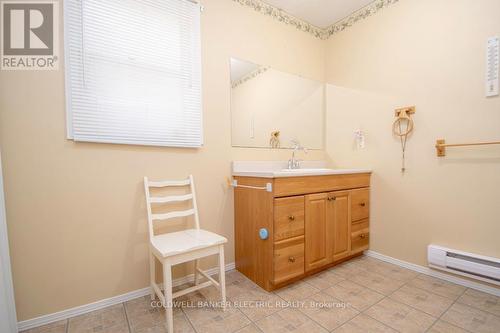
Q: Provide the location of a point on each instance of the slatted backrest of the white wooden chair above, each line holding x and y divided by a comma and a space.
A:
167, 199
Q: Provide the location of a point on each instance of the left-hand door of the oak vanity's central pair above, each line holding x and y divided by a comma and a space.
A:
317, 230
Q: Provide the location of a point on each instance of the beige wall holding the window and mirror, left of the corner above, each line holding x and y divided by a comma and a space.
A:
76, 212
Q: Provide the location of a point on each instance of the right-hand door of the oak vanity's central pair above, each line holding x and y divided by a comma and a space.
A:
340, 224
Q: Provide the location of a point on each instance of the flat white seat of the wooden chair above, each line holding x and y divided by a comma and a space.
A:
185, 241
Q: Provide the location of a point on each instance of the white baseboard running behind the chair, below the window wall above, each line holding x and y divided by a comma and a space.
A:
79, 310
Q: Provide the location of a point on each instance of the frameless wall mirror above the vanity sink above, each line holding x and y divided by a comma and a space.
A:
274, 109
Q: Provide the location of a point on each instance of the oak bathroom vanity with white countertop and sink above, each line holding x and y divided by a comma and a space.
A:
293, 223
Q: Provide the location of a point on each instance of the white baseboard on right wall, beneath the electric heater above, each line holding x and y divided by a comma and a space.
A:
434, 273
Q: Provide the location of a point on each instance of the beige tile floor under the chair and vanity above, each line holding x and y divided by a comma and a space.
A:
363, 295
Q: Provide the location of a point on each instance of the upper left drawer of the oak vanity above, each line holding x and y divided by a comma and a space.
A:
288, 217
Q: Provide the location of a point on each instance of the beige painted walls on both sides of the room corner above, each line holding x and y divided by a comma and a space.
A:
76, 212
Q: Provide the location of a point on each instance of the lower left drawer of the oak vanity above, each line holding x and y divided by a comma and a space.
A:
288, 259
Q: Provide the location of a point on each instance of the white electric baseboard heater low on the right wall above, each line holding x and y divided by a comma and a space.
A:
474, 266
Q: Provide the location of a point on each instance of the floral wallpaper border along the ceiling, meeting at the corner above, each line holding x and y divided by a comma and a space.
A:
282, 16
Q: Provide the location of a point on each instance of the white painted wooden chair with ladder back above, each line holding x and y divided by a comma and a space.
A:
181, 246
